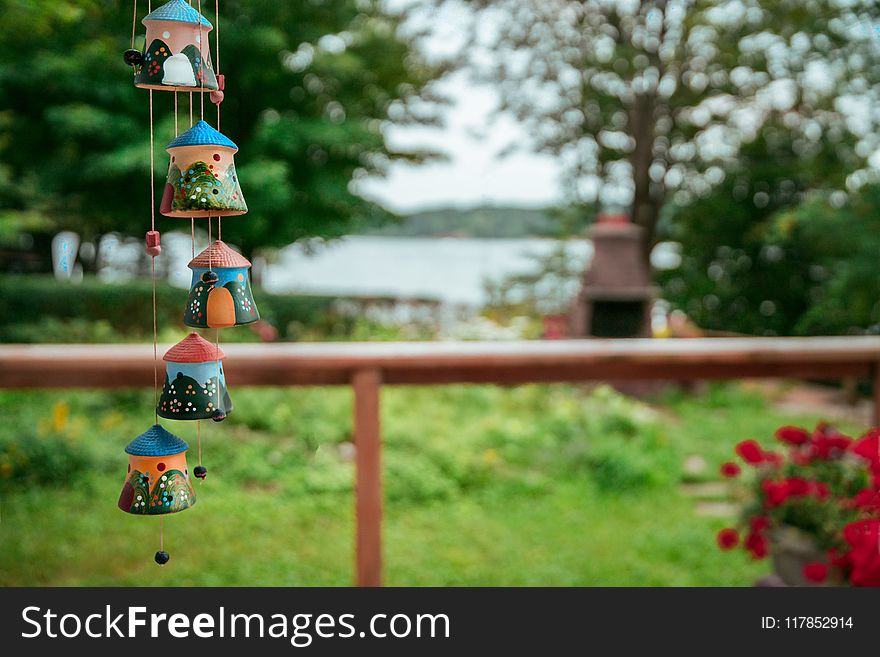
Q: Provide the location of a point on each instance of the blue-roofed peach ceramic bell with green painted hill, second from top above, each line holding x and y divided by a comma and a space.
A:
201, 176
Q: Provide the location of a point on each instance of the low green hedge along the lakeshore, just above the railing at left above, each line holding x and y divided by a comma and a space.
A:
42, 309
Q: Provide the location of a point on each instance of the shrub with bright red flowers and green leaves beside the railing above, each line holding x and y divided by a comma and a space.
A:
824, 484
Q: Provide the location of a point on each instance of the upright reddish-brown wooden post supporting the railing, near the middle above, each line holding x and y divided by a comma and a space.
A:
368, 478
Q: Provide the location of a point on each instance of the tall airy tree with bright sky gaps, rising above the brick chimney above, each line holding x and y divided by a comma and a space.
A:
647, 101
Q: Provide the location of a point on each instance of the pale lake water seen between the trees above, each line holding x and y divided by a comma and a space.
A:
450, 270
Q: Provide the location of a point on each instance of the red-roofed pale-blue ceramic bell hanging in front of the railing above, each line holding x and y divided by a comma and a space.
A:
195, 383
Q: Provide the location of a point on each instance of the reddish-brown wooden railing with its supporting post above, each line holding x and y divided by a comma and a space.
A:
367, 366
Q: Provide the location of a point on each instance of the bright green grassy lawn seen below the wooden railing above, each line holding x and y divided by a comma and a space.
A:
534, 485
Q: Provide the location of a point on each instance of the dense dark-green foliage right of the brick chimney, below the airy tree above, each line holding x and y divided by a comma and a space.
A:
771, 252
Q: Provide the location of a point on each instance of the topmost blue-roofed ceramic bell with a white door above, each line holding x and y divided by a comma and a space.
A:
177, 56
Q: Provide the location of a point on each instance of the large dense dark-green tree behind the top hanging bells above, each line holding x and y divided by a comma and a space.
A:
309, 86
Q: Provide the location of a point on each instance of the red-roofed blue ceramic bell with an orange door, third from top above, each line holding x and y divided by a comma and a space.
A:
220, 295
